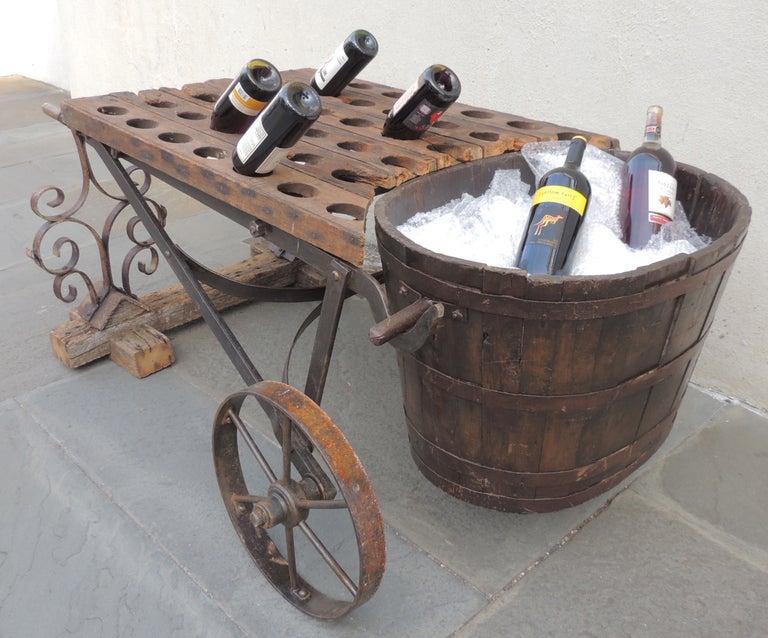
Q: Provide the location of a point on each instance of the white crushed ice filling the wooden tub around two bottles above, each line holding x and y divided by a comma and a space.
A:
489, 228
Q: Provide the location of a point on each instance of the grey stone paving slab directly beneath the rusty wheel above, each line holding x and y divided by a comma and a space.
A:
149, 453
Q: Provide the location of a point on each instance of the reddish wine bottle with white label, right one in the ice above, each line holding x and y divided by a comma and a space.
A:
650, 187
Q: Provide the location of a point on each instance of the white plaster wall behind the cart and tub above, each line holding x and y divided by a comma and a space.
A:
592, 64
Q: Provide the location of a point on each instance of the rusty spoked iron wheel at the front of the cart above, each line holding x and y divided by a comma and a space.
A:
289, 503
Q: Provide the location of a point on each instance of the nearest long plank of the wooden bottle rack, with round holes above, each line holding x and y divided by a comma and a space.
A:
286, 198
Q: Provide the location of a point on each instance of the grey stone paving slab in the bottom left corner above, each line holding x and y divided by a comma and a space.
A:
73, 562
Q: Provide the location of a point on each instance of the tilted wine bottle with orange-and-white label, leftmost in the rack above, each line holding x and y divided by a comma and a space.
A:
234, 111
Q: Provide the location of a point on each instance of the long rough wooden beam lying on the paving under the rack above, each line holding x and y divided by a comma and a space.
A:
77, 343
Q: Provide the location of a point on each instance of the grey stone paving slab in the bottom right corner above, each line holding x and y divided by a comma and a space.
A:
635, 571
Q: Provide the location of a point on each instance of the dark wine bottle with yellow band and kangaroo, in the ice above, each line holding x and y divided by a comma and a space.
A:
557, 210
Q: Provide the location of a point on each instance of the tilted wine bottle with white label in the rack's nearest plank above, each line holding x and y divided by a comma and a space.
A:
278, 127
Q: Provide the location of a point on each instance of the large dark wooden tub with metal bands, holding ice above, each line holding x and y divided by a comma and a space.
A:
536, 393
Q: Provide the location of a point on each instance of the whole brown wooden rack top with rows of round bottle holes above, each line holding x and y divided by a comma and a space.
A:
321, 192
